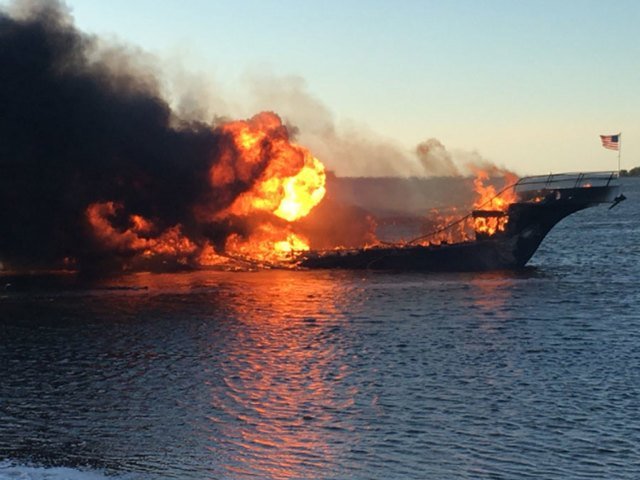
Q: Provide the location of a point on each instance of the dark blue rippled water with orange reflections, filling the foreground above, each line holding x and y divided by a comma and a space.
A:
534, 374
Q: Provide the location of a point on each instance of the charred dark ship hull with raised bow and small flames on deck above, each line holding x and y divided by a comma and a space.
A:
506, 237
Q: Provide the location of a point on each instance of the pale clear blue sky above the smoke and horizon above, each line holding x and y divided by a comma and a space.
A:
528, 84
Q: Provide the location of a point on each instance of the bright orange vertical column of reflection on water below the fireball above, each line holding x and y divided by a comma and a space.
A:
283, 379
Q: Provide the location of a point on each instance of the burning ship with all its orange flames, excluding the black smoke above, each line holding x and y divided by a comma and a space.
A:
269, 223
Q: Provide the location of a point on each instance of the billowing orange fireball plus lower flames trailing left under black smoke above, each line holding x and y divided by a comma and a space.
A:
280, 182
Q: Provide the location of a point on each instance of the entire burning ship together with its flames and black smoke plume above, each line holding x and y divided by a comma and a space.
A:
100, 175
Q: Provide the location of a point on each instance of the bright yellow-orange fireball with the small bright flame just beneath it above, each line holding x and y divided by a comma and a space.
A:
291, 183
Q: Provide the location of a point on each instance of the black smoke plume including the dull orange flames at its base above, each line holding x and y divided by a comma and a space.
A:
95, 167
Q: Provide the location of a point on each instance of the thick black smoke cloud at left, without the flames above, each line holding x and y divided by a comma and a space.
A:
77, 128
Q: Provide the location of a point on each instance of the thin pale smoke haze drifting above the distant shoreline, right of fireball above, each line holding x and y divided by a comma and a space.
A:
354, 150
